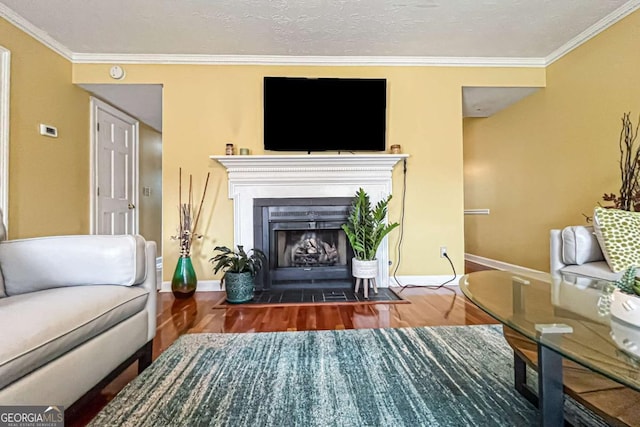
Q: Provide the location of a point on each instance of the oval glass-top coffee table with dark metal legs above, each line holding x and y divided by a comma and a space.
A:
567, 317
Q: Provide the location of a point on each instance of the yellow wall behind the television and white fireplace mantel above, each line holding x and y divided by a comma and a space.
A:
205, 106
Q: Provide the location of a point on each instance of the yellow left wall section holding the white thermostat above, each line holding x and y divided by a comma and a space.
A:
49, 178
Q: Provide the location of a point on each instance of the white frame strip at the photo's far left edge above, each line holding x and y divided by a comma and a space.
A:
5, 67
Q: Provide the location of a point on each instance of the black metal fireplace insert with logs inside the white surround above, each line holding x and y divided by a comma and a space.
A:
304, 242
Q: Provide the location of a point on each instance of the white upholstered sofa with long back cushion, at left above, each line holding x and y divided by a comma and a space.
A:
74, 312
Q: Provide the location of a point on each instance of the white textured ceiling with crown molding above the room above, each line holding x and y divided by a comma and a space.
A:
403, 32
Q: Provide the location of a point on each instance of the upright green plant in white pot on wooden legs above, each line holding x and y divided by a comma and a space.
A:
365, 228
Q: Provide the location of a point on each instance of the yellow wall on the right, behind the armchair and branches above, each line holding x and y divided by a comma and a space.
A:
546, 161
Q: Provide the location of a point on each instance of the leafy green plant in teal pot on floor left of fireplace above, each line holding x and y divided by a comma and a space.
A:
240, 268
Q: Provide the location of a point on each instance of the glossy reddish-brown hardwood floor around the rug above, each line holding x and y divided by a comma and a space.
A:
204, 313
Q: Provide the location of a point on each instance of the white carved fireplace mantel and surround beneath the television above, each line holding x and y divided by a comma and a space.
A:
305, 176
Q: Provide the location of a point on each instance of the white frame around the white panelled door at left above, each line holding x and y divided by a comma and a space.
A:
95, 105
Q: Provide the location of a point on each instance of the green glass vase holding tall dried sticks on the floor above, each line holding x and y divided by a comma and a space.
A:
184, 281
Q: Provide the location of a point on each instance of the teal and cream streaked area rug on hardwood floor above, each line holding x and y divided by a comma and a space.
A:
437, 376
